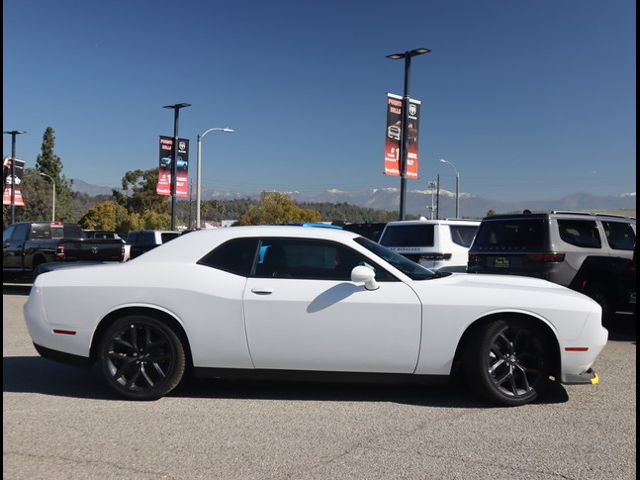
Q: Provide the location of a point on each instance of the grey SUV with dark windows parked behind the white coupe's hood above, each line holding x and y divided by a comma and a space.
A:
589, 253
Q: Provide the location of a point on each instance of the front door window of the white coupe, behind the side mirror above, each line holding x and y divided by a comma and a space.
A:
310, 260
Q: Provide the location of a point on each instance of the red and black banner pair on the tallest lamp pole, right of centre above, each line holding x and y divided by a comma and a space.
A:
394, 134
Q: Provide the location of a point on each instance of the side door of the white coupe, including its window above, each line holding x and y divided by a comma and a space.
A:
302, 312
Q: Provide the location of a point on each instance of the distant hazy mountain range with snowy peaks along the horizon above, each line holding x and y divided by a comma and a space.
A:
418, 201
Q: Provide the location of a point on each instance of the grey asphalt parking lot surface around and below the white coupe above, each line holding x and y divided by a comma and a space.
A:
62, 422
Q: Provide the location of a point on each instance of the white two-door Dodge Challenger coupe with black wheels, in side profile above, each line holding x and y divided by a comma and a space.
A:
310, 303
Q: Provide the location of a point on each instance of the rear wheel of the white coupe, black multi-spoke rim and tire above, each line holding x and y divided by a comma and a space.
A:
141, 358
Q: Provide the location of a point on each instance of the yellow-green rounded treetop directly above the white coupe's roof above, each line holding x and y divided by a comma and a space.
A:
277, 208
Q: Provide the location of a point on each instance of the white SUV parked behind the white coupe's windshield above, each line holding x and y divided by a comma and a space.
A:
437, 244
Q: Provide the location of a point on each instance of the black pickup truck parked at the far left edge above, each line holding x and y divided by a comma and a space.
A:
27, 245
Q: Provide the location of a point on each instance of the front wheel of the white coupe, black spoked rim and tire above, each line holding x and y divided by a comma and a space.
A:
508, 362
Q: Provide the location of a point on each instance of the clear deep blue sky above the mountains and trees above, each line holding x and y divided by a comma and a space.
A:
528, 99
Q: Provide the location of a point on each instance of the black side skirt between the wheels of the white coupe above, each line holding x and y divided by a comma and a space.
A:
319, 376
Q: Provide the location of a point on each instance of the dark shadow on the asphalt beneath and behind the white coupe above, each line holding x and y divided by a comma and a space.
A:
37, 375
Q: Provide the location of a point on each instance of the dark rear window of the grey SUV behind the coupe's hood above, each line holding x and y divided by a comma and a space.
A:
512, 235
